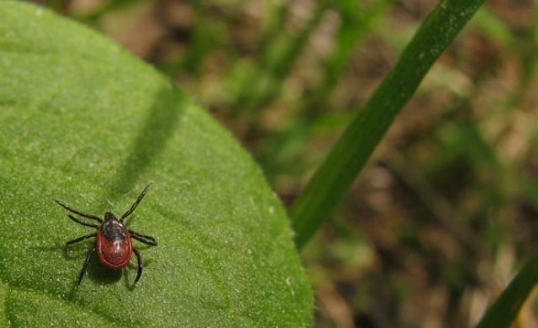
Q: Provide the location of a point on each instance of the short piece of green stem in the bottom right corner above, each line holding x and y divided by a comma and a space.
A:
506, 307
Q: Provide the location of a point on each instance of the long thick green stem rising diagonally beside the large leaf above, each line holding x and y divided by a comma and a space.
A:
351, 152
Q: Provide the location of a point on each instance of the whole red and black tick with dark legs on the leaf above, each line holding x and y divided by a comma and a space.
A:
113, 241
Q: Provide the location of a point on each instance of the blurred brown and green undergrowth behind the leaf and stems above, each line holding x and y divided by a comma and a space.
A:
447, 208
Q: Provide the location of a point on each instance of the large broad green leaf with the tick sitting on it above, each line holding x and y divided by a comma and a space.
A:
84, 122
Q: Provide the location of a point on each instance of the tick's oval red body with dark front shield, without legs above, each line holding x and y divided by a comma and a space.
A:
113, 245
